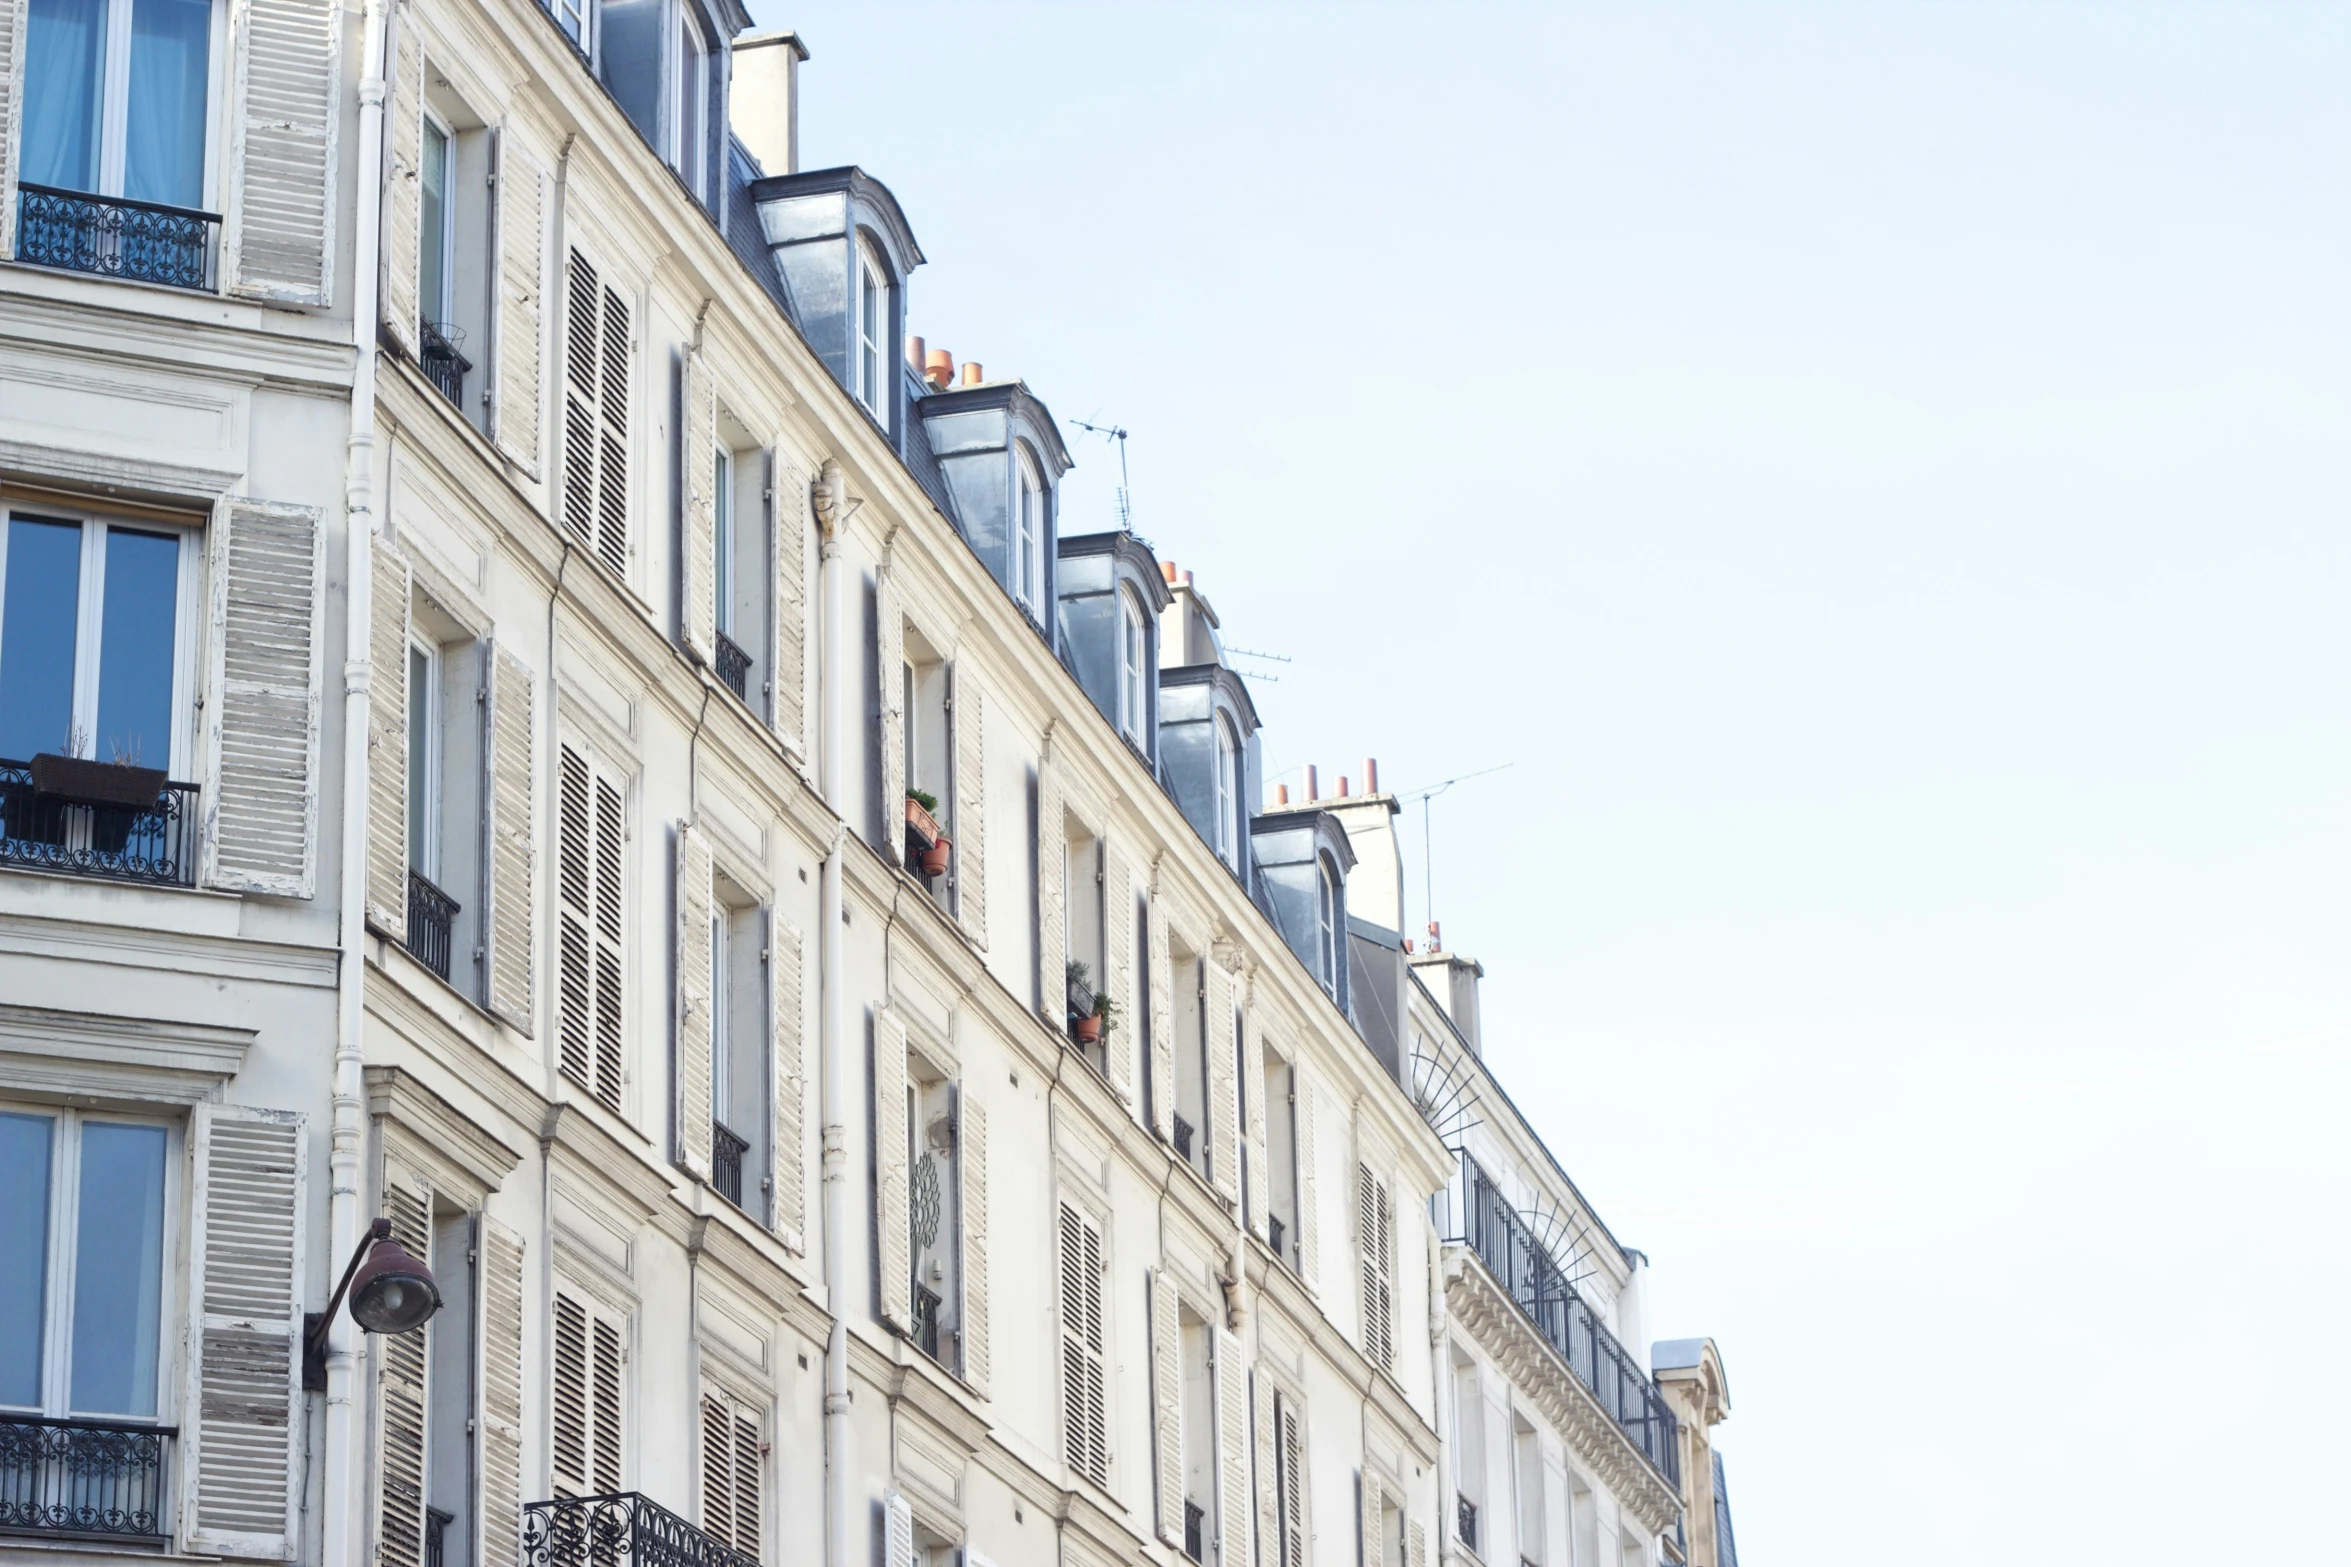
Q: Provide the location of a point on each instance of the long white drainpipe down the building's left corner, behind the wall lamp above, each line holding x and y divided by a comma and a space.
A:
342, 1470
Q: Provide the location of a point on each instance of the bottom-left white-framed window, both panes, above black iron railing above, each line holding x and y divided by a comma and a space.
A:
83, 1211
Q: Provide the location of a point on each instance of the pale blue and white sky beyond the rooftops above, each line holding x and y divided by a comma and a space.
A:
1880, 478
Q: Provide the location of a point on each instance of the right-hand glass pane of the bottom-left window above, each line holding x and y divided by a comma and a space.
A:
119, 1270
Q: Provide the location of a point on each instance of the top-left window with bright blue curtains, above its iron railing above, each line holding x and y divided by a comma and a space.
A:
116, 97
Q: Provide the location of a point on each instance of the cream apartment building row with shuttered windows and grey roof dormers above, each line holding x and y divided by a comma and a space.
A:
542, 722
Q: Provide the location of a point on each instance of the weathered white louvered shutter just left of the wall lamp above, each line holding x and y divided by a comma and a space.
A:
241, 1411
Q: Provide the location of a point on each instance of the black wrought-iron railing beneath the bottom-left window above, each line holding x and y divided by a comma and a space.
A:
83, 1477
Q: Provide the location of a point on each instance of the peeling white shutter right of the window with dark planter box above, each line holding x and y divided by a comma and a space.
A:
269, 640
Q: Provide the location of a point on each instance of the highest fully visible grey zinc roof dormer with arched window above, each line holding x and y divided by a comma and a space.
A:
845, 255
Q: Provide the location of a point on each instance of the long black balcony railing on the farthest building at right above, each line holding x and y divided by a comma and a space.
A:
1532, 1277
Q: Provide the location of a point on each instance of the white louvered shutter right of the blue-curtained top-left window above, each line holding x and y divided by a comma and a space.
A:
279, 238
